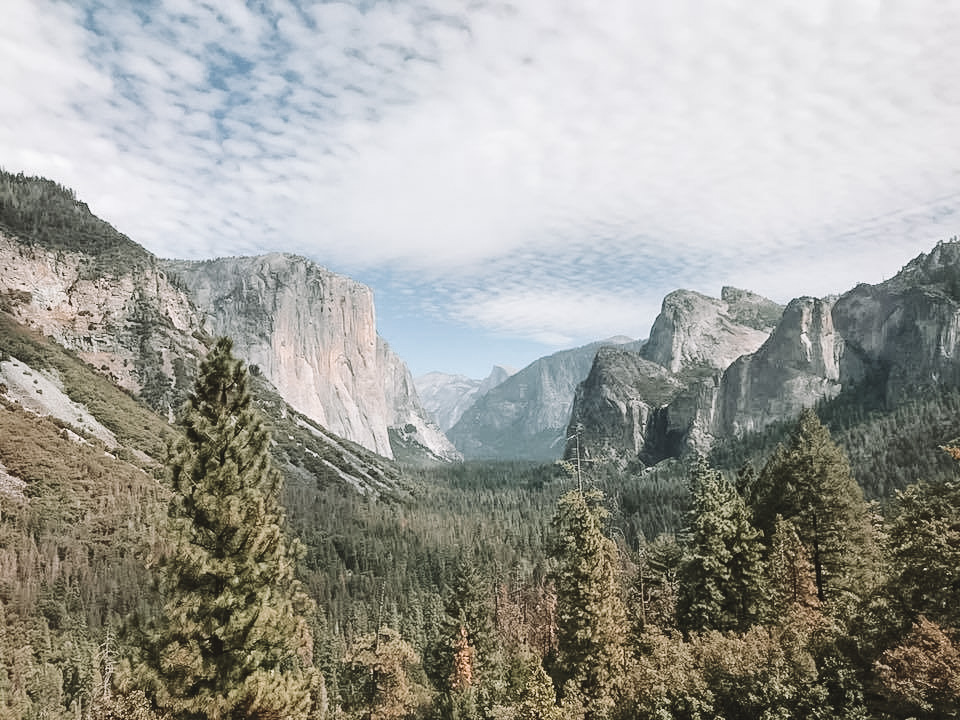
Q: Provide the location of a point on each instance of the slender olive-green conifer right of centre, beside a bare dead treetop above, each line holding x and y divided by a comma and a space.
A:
591, 619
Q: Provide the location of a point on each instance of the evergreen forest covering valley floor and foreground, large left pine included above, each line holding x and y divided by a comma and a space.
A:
200, 570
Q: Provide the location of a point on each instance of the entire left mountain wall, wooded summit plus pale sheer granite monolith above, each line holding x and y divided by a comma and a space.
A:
144, 321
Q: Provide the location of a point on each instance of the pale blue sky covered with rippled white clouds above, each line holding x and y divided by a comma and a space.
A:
511, 179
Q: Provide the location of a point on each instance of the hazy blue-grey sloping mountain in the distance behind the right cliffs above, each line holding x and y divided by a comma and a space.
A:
525, 416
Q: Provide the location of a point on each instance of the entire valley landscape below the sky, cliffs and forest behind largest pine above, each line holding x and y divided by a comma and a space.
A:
463, 523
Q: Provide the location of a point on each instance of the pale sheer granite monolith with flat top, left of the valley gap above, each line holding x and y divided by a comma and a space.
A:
312, 333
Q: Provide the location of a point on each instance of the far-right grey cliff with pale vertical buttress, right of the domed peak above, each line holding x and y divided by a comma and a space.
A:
898, 336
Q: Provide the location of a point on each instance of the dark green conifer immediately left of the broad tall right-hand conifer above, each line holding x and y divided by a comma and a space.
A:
722, 576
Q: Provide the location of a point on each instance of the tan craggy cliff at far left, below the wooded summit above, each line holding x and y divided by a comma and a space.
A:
130, 322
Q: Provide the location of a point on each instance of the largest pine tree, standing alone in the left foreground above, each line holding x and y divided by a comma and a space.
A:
233, 641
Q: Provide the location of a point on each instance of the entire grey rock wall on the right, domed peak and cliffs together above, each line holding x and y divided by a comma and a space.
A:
896, 337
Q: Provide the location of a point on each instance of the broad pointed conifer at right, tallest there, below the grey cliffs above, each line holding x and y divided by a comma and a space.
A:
809, 483
